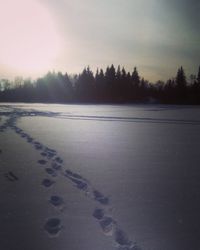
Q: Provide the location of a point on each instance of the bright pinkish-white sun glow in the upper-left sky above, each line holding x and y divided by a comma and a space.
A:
29, 42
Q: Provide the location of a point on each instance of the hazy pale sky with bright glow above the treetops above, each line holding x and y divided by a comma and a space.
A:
156, 36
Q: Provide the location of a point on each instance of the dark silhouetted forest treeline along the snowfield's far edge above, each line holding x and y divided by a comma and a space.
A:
111, 86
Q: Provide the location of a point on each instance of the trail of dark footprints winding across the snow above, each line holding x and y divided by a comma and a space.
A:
53, 165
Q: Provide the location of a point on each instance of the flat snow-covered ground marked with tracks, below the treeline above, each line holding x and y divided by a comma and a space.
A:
98, 177
